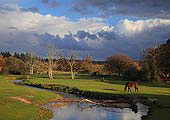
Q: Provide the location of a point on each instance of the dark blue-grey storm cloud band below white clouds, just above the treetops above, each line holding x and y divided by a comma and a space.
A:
110, 42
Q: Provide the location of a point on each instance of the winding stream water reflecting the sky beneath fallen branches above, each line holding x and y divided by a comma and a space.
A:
73, 111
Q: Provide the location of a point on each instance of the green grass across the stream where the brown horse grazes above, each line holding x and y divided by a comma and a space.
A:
114, 86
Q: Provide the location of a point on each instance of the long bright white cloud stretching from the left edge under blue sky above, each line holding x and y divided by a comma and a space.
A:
47, 23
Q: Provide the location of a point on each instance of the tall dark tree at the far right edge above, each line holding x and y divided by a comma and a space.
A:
157, 61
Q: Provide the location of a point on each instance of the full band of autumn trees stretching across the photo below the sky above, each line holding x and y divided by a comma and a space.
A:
154, 65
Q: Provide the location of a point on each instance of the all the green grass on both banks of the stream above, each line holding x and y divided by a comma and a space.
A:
11, 109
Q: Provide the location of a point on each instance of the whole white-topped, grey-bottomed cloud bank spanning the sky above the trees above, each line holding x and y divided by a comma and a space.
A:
25, 31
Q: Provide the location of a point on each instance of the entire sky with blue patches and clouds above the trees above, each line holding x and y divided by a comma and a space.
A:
99, 28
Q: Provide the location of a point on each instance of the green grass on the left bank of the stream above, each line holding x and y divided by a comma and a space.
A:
11, 109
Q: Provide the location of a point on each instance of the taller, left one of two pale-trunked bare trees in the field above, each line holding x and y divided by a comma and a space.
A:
51, 52
